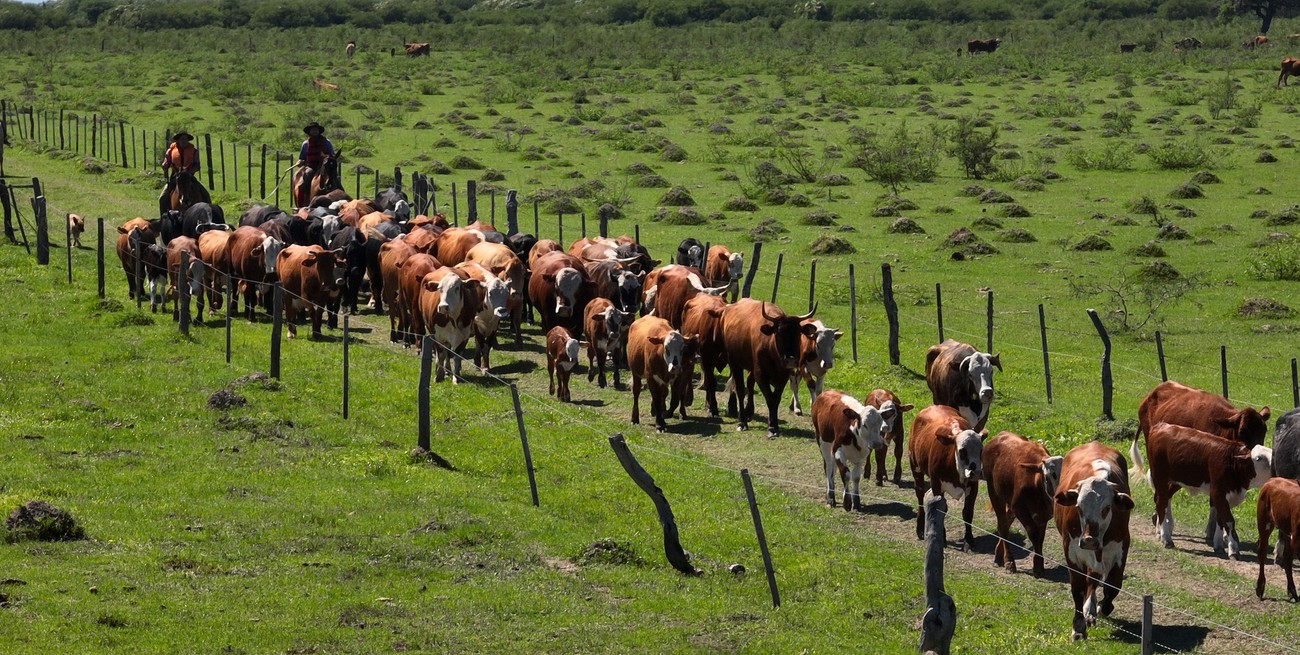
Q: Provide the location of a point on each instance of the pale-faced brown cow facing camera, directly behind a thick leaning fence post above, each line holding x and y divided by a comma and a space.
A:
449, 302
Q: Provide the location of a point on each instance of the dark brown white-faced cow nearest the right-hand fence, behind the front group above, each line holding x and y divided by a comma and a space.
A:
961, 378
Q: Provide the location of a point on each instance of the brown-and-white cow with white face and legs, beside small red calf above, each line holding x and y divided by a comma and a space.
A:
847, 433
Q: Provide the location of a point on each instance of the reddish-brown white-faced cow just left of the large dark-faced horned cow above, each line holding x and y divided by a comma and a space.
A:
660, 358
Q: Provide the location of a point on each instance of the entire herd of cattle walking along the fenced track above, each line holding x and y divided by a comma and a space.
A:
452, 284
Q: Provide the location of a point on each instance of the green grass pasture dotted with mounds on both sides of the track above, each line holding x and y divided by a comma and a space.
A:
279, 527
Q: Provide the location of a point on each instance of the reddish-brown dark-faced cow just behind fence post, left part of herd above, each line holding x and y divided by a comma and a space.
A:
313, 277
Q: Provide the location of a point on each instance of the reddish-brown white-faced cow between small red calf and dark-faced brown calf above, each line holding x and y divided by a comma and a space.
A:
946, 450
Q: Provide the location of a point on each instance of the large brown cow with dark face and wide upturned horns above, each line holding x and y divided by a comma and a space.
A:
762, 348
